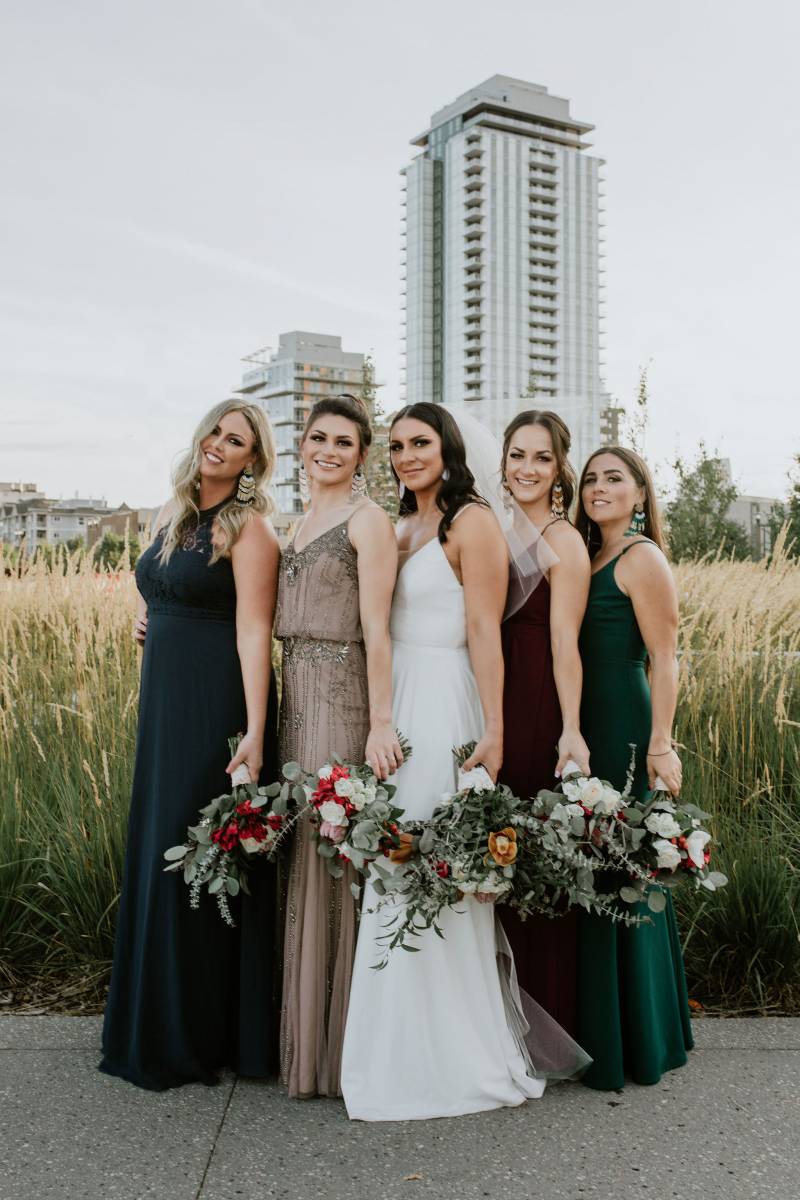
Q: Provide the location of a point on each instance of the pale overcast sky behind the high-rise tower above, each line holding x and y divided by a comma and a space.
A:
183, 181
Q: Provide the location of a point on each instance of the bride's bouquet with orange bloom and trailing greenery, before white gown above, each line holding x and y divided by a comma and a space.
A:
468, 848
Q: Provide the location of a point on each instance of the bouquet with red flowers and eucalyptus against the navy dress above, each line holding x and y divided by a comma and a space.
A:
234, 831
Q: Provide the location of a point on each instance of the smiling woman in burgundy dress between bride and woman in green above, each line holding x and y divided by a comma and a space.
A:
544, 679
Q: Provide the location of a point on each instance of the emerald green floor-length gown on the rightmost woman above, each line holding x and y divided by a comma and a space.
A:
633, 1005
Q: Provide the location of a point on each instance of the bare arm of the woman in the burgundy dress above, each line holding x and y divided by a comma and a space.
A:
569, 593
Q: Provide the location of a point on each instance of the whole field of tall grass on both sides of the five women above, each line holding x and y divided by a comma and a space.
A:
68, 731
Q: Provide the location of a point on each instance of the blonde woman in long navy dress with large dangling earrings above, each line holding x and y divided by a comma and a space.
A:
190, 995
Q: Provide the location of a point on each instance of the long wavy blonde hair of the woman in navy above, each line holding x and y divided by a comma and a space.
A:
232, 517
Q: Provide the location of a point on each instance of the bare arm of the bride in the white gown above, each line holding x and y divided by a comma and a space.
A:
484, 565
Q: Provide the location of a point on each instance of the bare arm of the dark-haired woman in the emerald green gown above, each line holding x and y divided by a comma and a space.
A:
645, 575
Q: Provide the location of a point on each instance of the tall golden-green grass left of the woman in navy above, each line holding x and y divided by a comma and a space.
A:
69, 687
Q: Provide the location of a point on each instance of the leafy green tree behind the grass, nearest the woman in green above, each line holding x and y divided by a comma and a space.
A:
697, 518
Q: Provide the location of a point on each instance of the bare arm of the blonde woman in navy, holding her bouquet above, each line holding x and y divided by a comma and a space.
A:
255, 557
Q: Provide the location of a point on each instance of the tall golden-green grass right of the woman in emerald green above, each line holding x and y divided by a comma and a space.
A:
739, 722
